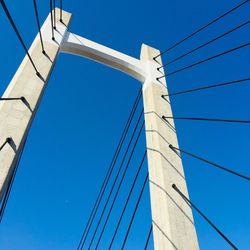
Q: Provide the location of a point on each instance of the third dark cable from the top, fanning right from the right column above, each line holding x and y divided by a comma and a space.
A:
207, 59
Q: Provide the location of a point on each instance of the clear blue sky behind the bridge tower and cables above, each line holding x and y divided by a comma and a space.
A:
86, 105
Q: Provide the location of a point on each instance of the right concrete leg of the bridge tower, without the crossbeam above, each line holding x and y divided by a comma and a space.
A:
173, 225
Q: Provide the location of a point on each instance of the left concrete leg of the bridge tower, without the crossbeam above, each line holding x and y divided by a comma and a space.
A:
16, 116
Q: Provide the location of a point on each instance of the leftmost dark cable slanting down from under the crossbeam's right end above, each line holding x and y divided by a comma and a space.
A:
110, 170
